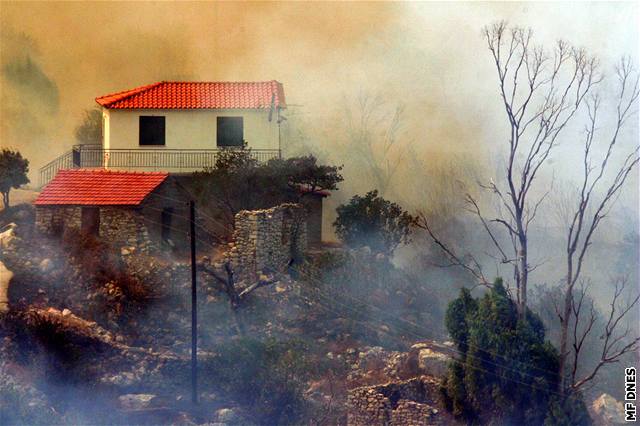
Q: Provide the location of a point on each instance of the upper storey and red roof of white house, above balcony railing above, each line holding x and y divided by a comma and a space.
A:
193, 115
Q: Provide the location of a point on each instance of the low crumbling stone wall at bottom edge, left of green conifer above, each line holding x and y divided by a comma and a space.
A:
401, 403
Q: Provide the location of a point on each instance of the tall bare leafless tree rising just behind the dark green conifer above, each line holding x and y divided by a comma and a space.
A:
541, 92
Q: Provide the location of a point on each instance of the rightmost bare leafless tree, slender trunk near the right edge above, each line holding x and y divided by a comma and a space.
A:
591, 208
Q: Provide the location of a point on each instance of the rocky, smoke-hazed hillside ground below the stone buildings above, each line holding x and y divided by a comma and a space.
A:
102, 335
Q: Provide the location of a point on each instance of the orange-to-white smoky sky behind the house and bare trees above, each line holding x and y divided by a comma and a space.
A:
430, 58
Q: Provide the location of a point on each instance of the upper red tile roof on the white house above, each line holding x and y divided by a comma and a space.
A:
190, 95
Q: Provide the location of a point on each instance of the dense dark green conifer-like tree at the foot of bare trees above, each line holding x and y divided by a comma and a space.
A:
507, 371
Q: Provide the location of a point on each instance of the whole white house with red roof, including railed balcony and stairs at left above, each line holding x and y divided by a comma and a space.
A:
180, 127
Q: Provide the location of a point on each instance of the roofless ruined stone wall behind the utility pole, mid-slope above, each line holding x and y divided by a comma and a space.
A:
265, 240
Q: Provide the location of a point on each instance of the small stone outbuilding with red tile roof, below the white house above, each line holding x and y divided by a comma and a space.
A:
141, 210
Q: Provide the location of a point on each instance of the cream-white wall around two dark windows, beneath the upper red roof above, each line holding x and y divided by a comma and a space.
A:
188, 129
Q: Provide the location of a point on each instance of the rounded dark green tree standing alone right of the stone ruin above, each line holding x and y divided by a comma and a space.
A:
374, 222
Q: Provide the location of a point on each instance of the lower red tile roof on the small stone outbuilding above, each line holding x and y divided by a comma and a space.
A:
99, 187
